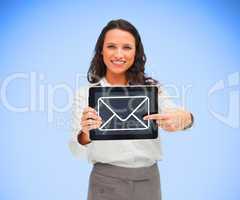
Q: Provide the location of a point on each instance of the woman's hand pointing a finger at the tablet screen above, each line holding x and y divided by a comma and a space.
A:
171, 120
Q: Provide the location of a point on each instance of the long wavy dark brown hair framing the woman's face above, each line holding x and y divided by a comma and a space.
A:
135, 74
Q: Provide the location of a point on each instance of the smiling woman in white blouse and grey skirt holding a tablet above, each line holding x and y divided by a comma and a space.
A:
124, 169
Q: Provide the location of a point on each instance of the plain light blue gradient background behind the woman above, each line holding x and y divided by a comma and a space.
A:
186, 42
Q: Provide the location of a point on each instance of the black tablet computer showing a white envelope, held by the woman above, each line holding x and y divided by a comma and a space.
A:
122, 110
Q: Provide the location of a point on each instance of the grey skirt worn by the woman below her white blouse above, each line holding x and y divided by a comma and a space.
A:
108, 182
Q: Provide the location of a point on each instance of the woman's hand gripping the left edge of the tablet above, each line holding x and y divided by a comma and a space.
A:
90, 120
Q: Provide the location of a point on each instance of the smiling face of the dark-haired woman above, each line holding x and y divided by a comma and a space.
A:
118, 51
